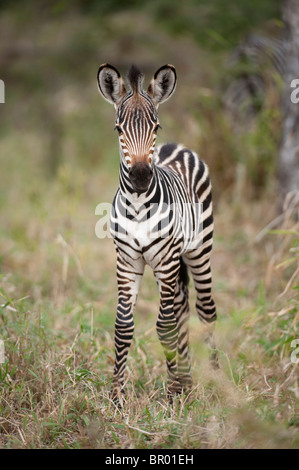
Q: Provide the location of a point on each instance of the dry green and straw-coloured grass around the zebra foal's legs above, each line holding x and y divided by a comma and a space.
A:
57, 325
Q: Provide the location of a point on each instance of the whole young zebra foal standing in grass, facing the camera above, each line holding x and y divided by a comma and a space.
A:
162, 216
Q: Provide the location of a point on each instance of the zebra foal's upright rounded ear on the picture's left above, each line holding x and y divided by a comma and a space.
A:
111, 84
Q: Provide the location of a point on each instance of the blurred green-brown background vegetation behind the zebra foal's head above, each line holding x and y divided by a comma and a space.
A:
53, 118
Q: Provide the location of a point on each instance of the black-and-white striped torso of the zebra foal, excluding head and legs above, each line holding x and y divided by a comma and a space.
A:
175, 168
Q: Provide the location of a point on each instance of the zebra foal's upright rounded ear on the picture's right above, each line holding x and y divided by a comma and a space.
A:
163, 84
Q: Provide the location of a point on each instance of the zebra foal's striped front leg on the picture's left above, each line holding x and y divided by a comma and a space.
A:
128, 280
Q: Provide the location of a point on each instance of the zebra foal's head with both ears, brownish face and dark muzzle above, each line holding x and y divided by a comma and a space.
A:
137, 120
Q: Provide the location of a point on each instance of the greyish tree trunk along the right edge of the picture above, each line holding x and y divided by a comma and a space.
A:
288, 166
